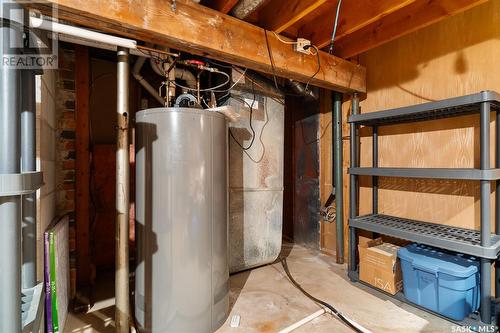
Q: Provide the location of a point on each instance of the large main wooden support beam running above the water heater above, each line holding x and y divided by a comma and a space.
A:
199, 30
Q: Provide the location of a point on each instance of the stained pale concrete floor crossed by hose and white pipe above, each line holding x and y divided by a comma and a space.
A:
267, 301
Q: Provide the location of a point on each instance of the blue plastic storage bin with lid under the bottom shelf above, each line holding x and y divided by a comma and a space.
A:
441, 281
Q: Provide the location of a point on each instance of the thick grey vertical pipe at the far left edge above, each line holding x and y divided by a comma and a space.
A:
10, 207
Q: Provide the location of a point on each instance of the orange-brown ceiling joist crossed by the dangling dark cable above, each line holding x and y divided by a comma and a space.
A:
354, 15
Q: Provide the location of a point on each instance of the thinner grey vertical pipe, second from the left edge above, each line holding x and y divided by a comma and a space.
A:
28, 163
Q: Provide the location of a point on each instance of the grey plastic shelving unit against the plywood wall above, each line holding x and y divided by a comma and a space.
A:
482, 244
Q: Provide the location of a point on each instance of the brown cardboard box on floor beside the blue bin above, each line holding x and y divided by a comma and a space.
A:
379, 264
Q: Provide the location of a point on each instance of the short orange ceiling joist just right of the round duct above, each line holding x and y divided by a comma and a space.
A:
279, 15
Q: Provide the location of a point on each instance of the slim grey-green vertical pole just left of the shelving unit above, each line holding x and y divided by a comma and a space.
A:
337, 173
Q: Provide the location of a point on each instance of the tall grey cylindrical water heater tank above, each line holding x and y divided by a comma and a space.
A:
182, 272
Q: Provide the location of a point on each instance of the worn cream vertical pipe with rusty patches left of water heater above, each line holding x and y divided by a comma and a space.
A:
122, 311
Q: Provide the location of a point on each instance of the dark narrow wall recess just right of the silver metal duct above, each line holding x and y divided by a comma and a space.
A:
301, 219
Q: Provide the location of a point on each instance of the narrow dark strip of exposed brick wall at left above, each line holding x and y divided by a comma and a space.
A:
65, 155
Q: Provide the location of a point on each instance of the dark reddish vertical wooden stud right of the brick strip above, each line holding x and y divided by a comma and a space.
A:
82, 167
